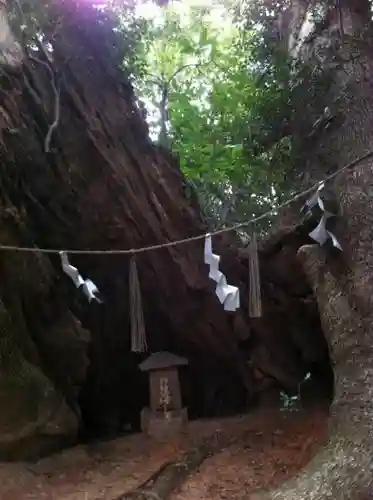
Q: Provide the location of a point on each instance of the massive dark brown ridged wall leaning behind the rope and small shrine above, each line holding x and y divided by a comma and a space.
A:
101, 184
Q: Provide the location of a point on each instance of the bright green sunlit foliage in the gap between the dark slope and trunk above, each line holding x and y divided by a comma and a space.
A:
217, 106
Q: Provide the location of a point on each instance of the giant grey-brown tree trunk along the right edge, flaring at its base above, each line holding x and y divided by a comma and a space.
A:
343, 284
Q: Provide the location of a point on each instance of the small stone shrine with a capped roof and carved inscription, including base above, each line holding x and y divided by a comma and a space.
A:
166, 417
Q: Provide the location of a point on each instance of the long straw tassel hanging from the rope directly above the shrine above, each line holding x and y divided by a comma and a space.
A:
138, 334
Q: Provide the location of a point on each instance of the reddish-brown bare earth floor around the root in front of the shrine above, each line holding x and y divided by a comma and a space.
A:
271, 446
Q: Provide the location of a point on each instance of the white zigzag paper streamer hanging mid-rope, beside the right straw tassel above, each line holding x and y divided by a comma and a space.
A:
228, 295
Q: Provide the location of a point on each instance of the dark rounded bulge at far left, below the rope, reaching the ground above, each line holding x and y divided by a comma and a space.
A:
43, 357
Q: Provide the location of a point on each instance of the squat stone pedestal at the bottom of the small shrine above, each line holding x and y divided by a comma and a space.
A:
159, 426
